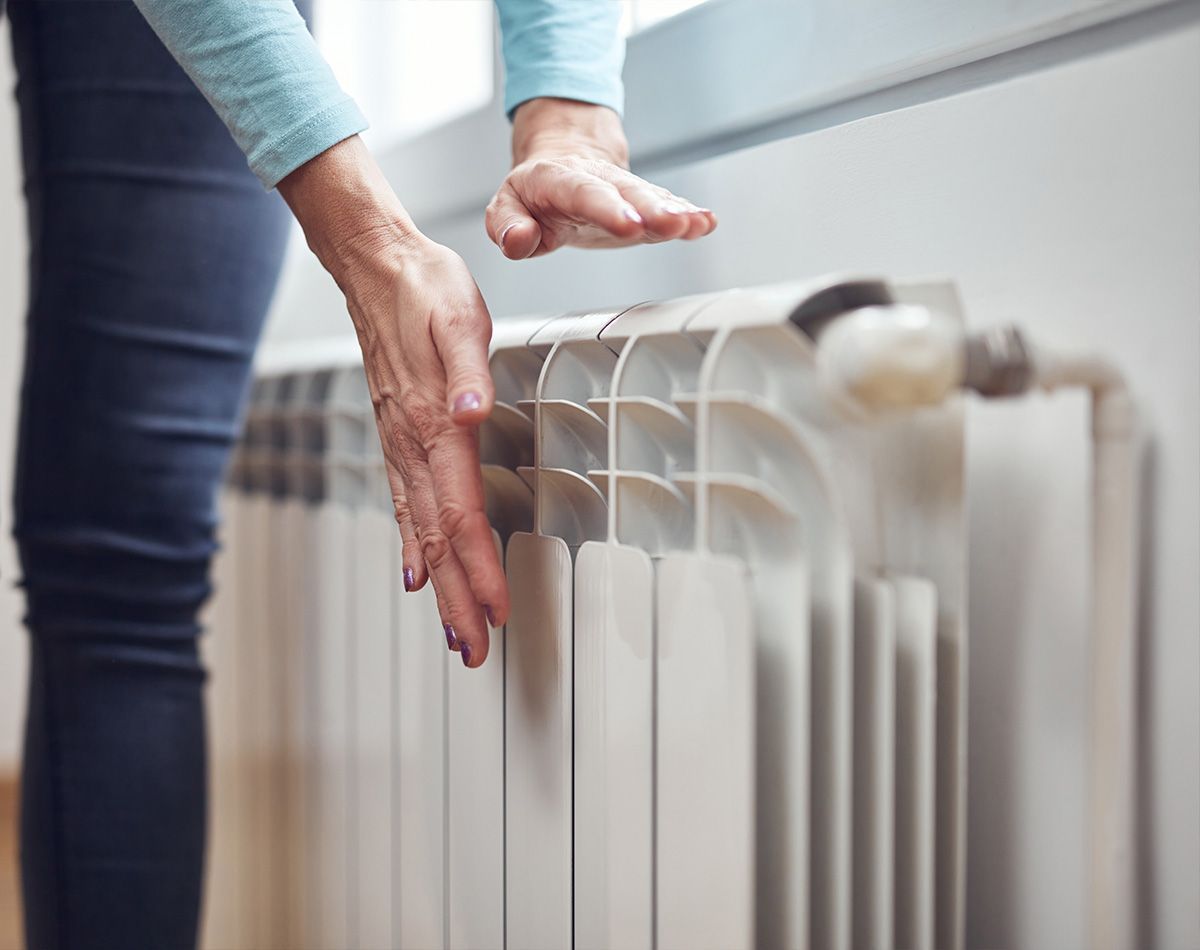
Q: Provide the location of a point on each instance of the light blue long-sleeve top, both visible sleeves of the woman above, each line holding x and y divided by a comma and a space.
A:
256, 62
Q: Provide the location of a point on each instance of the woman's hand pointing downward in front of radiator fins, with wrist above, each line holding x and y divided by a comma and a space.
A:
424, 330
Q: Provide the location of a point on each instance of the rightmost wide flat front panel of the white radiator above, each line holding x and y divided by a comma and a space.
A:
705, 739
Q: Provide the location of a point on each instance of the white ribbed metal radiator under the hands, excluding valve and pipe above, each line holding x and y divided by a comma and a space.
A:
728, 710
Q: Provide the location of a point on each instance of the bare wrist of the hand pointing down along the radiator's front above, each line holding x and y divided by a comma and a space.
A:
350, 214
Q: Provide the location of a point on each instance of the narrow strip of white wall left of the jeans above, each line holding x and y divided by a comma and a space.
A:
13, 320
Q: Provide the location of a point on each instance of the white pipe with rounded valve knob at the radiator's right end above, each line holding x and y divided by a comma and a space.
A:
904, 357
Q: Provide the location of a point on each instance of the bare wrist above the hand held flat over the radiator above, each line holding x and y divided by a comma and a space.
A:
555, 128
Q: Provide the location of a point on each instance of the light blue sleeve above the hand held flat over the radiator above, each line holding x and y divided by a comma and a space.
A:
563, 49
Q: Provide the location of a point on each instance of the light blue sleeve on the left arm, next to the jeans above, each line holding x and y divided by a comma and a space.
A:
256, 62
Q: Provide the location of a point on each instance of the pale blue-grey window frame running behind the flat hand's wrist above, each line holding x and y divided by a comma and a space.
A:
676, 112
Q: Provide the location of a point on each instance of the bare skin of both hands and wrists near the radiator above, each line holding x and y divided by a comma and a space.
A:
424, 328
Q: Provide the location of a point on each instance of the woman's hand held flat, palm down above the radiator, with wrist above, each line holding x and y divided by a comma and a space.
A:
571, 185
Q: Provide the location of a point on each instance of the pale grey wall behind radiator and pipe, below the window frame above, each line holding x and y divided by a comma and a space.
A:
1059, 187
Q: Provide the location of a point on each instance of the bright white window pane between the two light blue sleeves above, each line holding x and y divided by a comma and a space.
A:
411, 65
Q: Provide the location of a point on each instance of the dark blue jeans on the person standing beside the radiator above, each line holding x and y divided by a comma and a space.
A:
154, 256
